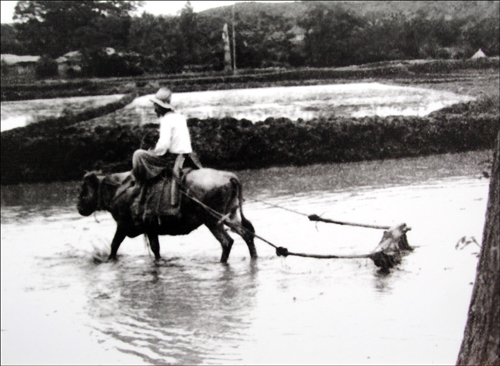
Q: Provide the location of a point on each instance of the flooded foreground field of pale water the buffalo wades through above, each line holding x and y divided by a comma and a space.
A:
62, 305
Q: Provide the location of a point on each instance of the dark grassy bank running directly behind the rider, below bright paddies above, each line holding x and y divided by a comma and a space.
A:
68, 149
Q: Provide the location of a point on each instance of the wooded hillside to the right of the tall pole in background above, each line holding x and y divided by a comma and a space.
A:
341, 33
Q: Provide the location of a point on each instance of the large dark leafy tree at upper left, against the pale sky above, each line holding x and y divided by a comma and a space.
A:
57, 27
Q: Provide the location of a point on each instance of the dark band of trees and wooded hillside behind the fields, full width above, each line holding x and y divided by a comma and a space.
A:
316, 34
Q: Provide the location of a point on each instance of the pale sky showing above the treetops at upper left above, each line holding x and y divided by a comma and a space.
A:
153, 7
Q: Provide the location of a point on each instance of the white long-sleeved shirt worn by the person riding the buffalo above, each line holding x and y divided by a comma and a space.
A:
174, 135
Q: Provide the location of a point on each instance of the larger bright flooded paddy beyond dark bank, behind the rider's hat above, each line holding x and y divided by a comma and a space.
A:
308, 102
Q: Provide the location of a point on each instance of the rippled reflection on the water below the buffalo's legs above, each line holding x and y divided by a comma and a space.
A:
181, 313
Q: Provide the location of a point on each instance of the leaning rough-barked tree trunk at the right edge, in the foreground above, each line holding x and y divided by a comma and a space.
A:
481, 342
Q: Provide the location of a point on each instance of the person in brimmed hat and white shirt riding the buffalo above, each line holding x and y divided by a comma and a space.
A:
172, 147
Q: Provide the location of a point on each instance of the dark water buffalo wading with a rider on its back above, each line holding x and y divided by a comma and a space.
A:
214, 190
